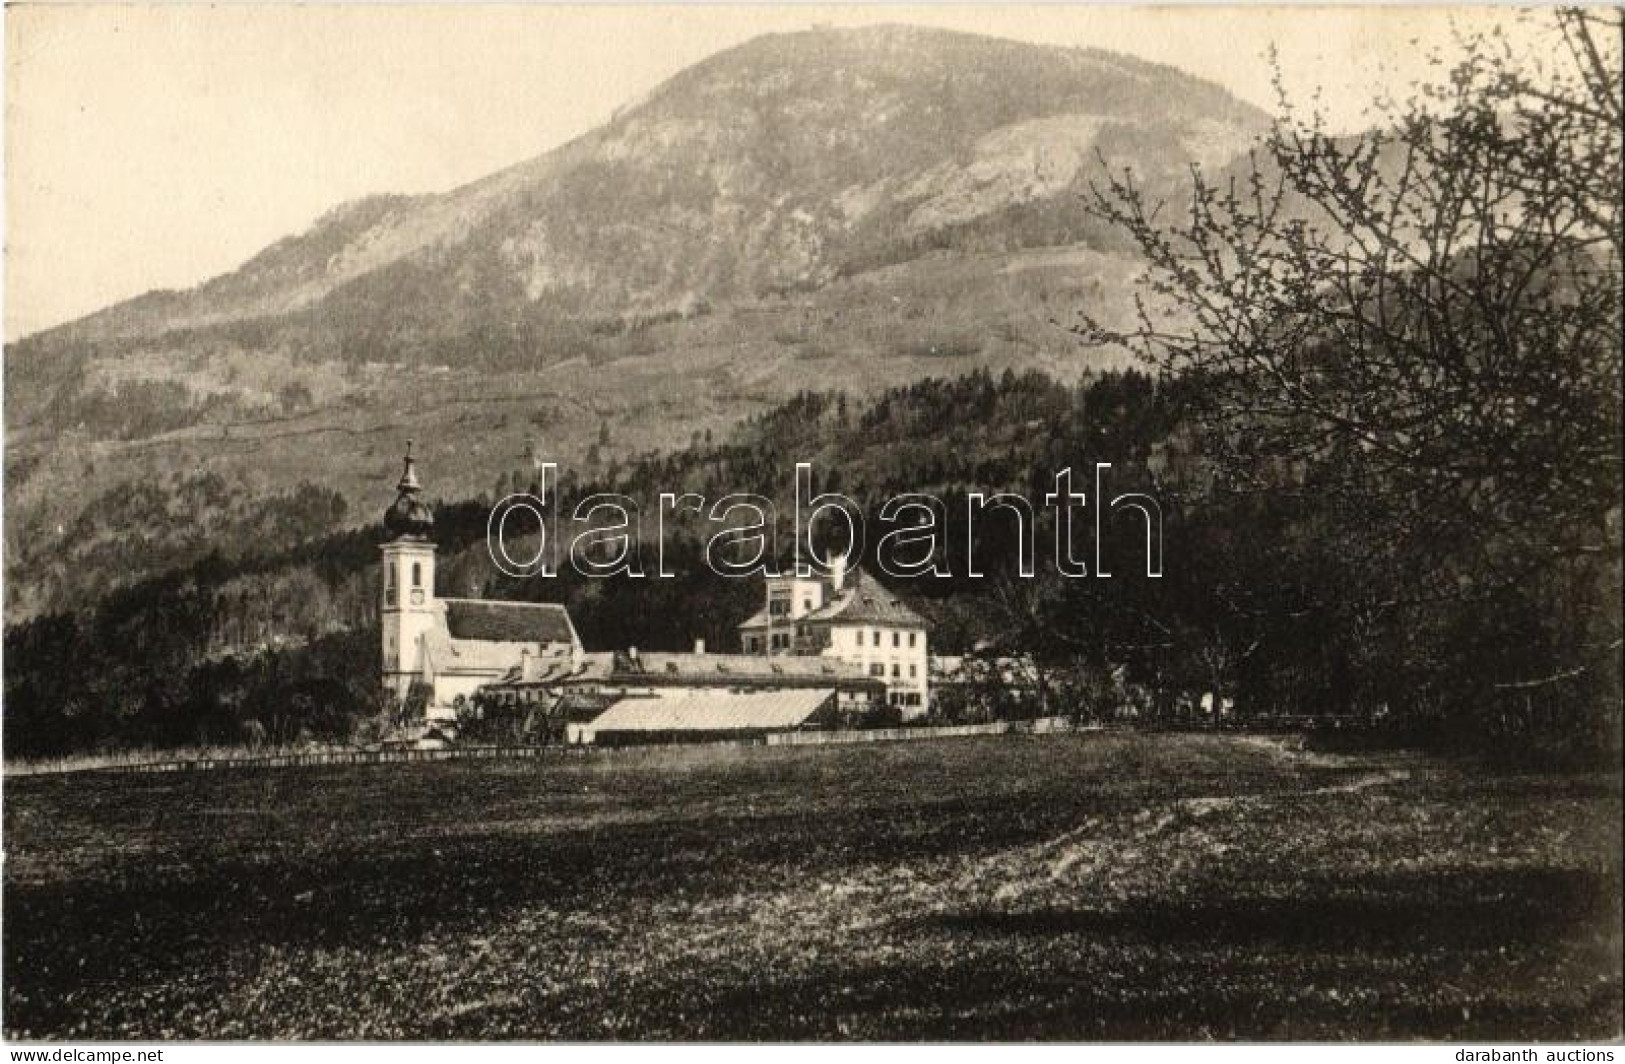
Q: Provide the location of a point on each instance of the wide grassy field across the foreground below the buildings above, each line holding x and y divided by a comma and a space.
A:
1016, 888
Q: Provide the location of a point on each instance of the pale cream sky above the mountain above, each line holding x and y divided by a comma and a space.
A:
157, 147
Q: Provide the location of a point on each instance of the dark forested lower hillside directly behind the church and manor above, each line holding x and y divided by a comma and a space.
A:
1257, 599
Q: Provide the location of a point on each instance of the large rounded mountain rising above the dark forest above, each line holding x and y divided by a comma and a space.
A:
841, 207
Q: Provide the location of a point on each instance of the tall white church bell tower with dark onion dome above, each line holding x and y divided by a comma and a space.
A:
409, 610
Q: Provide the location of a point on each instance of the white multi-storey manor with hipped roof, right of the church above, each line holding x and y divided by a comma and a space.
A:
851, 618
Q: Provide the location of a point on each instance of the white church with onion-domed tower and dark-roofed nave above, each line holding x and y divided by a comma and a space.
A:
446, 647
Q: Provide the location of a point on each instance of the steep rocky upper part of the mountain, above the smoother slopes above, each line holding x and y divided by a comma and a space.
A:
779, 165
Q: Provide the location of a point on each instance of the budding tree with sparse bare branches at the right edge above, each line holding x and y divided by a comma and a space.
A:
1419, 326
